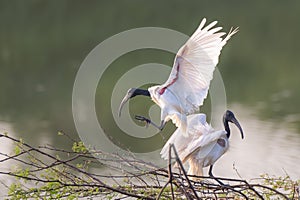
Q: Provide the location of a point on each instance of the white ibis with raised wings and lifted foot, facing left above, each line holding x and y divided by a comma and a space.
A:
188, 83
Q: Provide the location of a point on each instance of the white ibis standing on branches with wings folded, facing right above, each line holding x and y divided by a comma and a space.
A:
203, 146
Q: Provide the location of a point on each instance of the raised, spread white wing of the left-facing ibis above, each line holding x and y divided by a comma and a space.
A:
194, 65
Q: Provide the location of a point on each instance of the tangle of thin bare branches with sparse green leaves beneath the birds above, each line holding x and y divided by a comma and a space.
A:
47, 172
